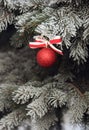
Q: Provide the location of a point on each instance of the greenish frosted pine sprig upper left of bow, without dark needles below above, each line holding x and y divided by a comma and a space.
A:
30, 20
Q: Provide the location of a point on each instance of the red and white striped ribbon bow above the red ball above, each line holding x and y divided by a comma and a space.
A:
42, 42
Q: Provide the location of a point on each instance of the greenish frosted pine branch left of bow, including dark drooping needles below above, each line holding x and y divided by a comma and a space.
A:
25, 25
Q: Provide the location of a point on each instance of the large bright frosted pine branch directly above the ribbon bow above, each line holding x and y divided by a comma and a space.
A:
63, 21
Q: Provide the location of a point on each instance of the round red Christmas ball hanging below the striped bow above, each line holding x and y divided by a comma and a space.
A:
46, 57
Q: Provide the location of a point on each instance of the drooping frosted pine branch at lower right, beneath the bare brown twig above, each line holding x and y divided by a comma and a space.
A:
77, 104
